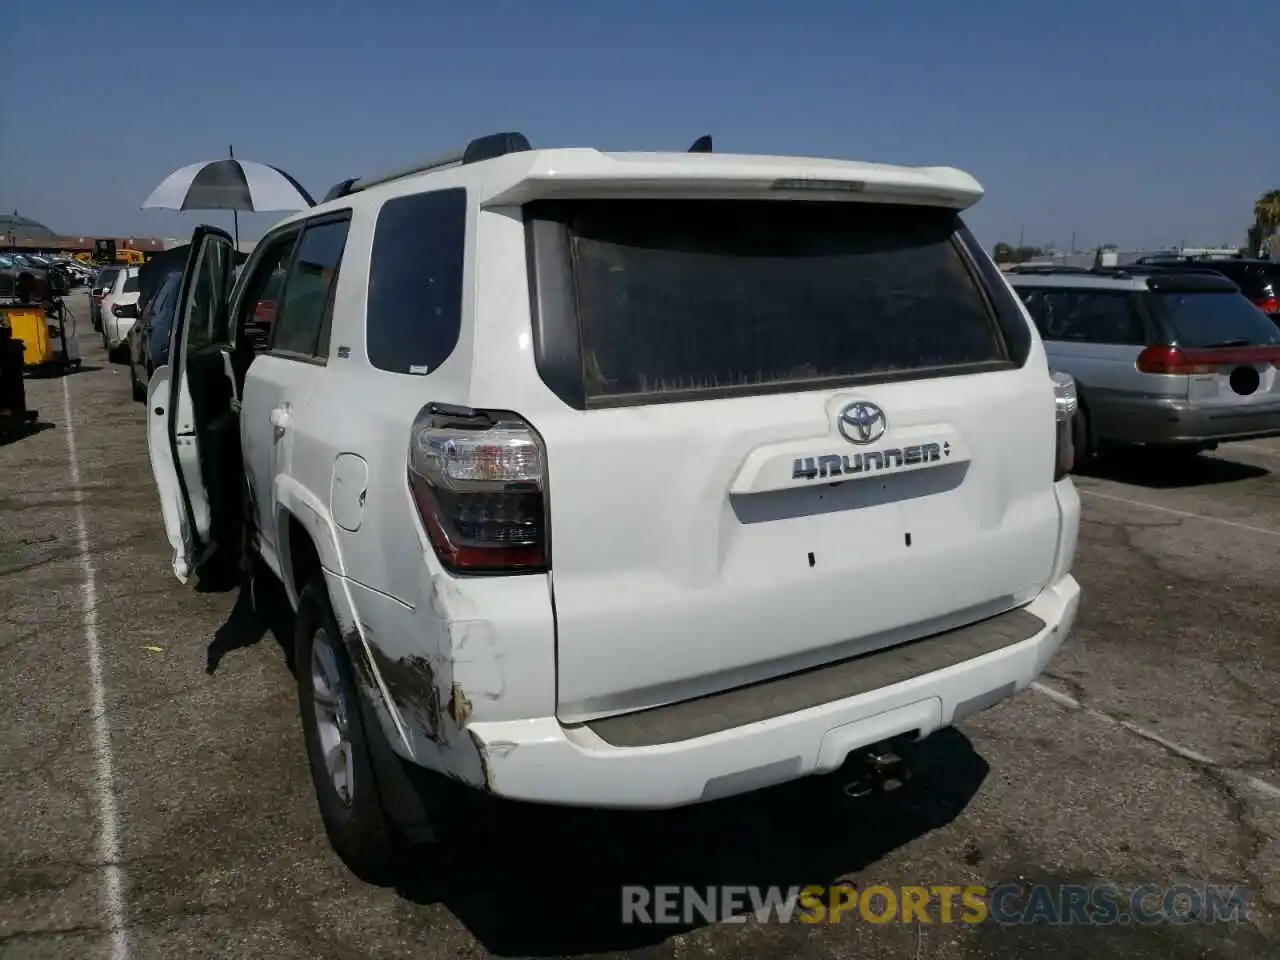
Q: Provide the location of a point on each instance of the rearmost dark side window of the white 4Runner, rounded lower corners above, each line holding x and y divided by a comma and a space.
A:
415, 282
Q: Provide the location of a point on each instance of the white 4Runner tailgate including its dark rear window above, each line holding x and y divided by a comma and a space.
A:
801, 435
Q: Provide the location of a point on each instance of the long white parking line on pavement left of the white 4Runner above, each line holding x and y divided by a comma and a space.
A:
104, 780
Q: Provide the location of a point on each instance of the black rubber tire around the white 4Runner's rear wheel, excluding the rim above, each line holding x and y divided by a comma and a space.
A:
359, 829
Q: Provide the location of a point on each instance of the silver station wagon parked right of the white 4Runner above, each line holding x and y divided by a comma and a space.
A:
1174, 359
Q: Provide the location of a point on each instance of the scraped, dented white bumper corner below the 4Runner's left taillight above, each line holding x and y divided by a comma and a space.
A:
473, 651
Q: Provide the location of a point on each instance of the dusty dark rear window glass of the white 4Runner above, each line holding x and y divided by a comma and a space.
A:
694, 296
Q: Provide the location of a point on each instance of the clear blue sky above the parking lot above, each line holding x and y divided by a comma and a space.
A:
1141, 124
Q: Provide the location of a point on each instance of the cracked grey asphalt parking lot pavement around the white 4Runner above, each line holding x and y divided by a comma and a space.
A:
1149, 755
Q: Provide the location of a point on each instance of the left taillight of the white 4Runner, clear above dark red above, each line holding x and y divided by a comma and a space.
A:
479, 481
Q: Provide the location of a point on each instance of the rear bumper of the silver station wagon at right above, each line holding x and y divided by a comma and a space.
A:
1176, 422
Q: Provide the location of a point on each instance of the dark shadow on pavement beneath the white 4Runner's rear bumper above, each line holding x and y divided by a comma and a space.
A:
548, 883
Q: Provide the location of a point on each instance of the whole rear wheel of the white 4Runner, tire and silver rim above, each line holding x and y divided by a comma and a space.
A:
337, 744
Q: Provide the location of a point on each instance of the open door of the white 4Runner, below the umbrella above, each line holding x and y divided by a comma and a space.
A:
193, 428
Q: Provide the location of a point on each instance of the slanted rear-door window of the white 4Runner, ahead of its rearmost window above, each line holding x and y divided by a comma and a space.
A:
305, 304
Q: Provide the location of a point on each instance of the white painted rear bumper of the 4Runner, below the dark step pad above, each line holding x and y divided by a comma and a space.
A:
546, 762
